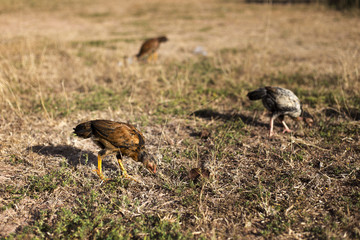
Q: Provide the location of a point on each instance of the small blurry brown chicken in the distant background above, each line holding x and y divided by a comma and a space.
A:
149, 47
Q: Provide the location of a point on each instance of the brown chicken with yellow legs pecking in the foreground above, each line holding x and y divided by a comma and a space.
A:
117, 138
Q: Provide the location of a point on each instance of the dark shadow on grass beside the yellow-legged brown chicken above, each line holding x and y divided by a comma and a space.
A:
73, 155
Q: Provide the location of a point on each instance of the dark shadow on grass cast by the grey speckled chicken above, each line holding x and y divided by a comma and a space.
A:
211, 114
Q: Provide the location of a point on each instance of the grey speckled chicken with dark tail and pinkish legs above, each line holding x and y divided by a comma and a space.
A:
280, 102
